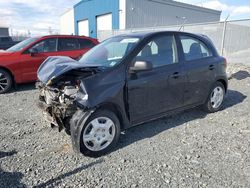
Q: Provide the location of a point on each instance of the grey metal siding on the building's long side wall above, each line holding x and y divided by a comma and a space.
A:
145, 13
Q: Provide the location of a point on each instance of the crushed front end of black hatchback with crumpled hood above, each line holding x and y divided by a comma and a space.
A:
60, 90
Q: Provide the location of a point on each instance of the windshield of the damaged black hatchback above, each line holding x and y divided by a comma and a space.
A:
110, 52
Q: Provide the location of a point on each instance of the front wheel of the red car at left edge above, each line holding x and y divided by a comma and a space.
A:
6, 81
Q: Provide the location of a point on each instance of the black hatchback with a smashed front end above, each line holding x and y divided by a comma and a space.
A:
128, 80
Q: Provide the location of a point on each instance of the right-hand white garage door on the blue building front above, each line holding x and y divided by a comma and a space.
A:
104, 22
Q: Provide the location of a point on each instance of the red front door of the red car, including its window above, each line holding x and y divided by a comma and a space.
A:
31, 62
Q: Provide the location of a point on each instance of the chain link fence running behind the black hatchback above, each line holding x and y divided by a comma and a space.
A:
231, 38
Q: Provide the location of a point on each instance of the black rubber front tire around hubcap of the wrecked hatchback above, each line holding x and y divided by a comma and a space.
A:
98, 114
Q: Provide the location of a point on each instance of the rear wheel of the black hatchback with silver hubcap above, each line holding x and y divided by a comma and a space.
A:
215, 99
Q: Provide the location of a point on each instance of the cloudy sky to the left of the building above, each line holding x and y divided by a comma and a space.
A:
33, 16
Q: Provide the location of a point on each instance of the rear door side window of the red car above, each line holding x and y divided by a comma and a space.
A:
66, 44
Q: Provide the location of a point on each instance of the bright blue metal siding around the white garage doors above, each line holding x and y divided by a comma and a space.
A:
90, 9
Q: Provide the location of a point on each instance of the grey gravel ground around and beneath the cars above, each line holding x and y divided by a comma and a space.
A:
190, 149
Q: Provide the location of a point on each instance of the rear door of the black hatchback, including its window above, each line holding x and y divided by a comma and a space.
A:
200, 67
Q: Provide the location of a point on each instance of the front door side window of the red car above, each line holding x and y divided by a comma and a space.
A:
47, 45
